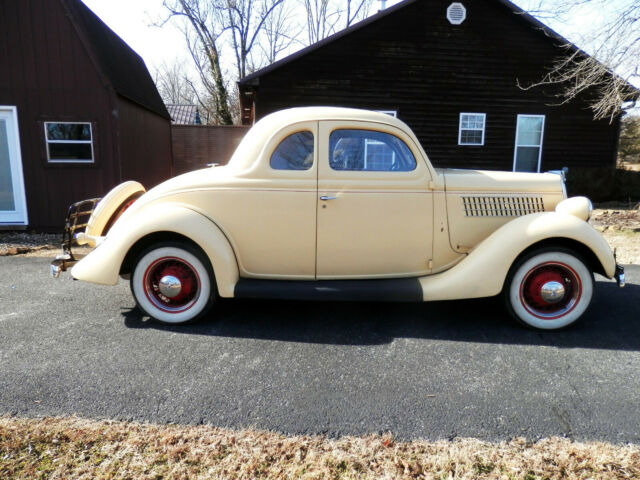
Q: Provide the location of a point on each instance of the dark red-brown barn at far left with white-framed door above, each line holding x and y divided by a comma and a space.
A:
79, 112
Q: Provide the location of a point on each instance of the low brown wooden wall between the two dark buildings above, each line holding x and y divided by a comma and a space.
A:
194, 146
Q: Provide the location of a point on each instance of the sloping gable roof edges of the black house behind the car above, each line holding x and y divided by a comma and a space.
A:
539, 26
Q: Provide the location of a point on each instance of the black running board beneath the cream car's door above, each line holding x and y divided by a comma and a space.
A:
384, 290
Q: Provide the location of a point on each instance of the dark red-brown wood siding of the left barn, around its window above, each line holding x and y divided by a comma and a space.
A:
50, 73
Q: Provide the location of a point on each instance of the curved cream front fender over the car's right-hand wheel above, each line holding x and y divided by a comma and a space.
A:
483, 272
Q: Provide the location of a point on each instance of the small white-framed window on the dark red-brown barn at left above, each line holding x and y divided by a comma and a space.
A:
69, 142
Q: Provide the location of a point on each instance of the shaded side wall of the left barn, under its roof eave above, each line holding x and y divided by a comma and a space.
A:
145, 144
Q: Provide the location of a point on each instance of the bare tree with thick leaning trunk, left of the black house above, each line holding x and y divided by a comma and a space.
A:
202, 31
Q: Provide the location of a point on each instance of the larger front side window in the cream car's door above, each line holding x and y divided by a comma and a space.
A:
368, 150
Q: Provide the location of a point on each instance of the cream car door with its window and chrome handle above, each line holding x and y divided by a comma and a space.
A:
375, 209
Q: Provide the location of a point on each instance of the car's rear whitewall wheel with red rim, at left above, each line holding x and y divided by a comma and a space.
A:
173, 283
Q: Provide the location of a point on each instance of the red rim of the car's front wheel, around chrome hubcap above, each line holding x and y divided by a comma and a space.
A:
531, 290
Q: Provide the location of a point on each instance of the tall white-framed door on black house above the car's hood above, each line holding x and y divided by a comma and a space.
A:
528, 150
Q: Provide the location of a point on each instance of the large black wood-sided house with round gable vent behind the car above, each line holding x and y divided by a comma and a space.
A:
453, 72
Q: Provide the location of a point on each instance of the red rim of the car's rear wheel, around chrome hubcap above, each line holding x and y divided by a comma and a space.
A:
184, 297
